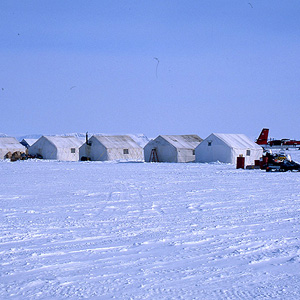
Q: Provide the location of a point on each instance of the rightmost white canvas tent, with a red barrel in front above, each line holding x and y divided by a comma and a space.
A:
227, 147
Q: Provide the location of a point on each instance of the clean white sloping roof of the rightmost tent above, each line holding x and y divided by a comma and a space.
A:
237, 141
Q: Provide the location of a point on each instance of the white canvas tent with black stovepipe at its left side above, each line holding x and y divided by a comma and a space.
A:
114, 147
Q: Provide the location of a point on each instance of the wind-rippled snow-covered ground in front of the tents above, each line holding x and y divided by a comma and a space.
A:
148, 231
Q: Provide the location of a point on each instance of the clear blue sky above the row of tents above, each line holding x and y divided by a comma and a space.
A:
224, 66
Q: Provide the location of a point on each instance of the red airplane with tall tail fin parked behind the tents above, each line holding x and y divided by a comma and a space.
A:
272, 143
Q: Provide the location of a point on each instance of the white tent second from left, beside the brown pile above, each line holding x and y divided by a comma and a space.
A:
64, 148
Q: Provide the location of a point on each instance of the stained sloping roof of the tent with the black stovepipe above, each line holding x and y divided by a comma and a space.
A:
117, 141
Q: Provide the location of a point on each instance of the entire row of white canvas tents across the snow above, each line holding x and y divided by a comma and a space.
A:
165, 148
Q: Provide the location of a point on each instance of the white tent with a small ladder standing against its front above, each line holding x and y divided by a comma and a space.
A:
172, 148
